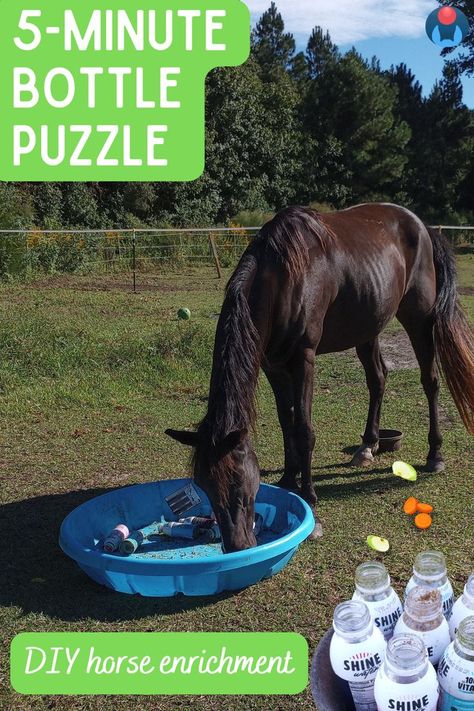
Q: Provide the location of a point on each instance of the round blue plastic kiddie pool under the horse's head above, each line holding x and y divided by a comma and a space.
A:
162, 566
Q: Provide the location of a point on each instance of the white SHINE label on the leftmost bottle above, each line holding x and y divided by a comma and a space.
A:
358, 664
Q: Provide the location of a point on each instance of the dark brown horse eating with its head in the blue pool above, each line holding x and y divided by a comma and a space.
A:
311, 284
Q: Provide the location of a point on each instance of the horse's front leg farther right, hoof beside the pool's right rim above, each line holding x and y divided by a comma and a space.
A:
303, 384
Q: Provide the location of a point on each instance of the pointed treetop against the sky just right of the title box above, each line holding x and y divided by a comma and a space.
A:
272, 47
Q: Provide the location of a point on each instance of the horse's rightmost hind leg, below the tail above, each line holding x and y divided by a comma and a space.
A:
420, 332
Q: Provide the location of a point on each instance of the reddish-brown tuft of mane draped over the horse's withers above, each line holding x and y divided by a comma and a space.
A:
287, 235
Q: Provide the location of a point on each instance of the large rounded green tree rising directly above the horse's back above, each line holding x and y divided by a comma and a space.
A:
356, 106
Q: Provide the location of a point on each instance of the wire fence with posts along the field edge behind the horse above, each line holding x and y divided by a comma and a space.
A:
136, 253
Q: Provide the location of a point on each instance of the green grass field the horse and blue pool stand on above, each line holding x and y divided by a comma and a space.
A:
91, 375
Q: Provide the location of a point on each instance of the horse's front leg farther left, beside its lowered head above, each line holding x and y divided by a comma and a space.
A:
282, 386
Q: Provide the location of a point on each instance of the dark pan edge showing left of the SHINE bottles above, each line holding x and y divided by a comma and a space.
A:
329, 692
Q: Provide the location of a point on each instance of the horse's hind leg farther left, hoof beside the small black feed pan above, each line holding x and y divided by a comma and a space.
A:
376, 375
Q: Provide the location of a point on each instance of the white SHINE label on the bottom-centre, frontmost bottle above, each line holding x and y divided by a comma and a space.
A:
421, 695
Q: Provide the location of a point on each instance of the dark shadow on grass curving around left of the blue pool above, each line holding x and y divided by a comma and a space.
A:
38, 577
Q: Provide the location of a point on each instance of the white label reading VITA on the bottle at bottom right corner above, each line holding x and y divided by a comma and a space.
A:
456, 679
